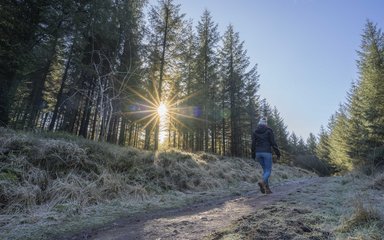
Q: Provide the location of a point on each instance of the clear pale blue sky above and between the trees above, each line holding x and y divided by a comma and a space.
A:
305, 50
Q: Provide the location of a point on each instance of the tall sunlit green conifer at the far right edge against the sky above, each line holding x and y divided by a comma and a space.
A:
367, 103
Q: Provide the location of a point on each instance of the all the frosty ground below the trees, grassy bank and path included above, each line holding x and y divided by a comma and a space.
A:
55, 185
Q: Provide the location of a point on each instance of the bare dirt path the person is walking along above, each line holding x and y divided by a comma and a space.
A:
196, 221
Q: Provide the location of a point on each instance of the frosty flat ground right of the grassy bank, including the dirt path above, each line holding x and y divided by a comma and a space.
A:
310, 208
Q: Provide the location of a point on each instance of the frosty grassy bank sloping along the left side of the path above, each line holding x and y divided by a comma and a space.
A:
55, 183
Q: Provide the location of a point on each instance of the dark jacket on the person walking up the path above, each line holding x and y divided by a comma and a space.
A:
263, 140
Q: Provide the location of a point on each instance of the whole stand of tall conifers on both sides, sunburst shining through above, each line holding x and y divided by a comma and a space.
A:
100, 68
